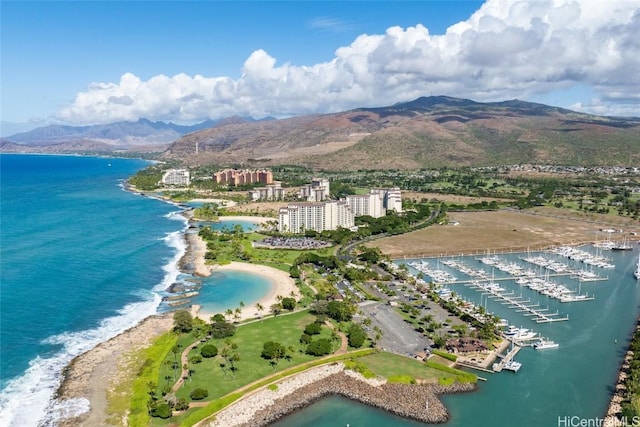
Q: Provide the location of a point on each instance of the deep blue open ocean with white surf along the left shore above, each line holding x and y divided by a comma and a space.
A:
81, 260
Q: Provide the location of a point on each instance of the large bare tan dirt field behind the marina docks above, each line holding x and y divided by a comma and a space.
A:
477, 232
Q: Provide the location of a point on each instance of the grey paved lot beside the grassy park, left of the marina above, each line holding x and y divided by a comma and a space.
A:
397, 335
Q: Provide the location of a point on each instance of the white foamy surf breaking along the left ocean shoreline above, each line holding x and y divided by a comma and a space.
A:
29, 400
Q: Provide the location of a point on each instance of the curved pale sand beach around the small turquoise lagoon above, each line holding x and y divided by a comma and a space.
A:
281, 284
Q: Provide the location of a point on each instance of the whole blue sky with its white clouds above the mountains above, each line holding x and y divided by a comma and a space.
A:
87, 62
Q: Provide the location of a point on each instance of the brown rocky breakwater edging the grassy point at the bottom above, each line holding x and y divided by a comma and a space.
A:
418, 402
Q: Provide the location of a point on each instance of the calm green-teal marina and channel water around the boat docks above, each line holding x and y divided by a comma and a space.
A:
575, 380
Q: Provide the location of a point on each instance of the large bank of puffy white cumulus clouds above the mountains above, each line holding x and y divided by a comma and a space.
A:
507, 49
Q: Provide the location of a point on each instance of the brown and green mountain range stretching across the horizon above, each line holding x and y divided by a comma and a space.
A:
430, 131
